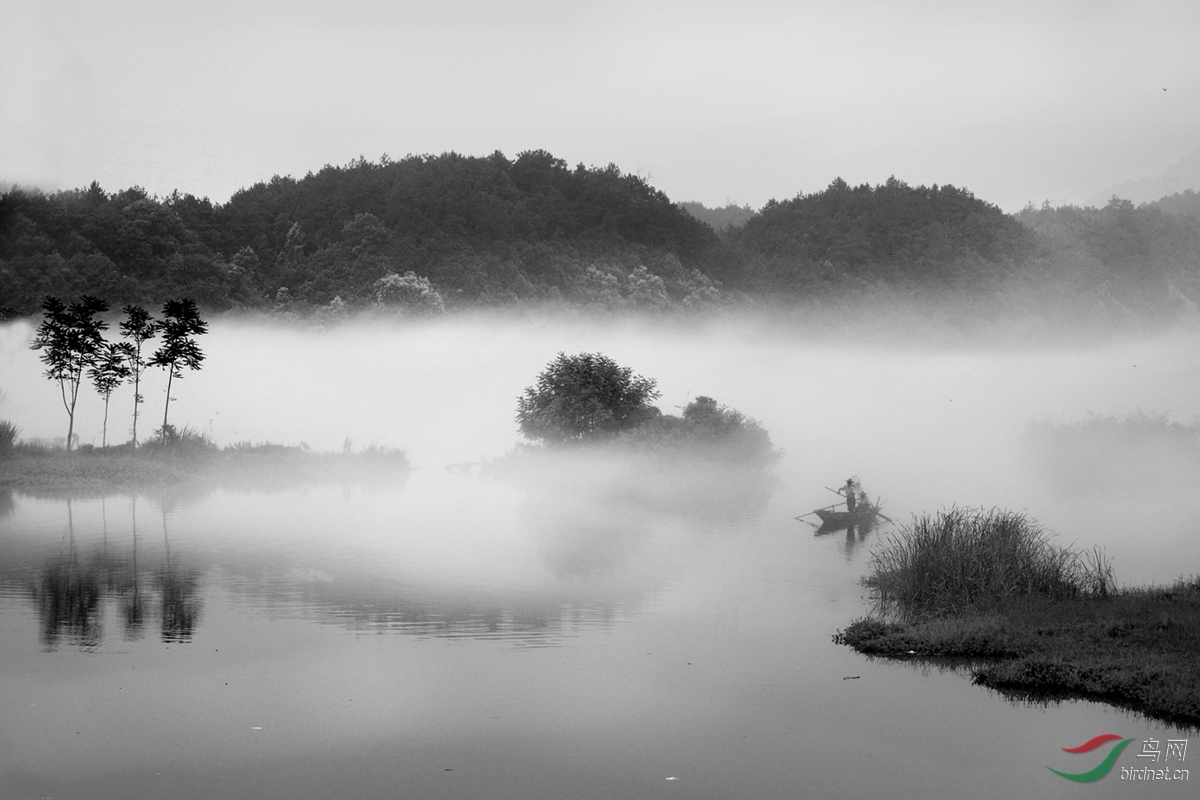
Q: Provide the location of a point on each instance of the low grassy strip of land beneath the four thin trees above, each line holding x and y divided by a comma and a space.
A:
189, 459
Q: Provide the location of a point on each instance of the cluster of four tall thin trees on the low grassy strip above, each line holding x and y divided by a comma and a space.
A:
75, 351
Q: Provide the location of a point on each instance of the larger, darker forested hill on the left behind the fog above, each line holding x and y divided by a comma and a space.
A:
482, 230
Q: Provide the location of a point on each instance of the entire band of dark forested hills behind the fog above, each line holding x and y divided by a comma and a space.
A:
429, 234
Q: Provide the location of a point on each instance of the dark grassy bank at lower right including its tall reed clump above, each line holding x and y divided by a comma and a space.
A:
1031, 619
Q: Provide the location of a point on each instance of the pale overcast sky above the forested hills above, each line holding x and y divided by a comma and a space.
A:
716, 103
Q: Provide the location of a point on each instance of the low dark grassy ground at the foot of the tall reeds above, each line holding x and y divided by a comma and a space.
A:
1135, 648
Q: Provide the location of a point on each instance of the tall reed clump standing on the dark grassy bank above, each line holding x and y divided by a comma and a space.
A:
965, 558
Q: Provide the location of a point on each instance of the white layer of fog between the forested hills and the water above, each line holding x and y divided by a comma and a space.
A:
925, 425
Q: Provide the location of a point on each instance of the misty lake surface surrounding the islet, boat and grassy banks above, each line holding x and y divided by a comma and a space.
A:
591, 635
